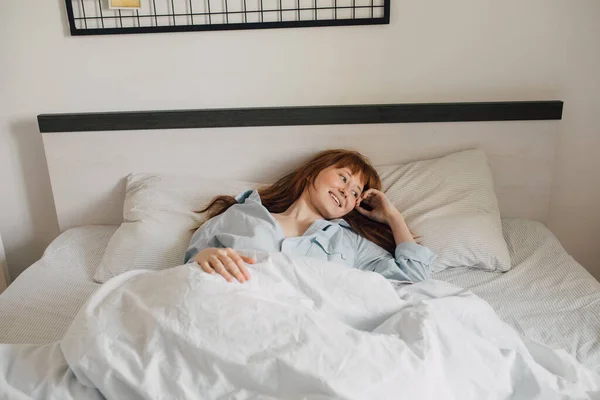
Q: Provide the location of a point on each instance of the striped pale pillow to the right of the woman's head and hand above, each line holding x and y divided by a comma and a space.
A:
450, 202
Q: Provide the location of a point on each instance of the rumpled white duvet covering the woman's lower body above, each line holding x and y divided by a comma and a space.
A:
300, 329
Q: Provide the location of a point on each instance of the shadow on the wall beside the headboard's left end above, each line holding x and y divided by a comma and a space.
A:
42, 226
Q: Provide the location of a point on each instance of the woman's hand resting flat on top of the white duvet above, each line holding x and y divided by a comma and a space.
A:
225, 262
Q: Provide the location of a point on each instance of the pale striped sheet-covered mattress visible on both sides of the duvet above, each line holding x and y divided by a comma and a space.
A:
546, 296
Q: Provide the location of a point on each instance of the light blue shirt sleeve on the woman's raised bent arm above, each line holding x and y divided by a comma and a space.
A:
410, 262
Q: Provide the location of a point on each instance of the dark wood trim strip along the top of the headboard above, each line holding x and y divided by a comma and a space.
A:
313, 115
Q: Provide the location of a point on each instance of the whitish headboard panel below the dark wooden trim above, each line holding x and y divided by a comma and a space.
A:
87, 169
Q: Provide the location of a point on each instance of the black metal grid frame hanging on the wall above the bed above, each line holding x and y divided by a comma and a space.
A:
210, 26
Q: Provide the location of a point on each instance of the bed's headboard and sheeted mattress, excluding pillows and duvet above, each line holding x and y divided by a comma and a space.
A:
546, 296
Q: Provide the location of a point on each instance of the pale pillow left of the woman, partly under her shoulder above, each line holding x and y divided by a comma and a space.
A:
159, 221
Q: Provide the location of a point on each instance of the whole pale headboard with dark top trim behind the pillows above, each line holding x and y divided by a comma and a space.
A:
89, 155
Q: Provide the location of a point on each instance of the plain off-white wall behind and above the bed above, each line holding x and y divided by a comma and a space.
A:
434, 50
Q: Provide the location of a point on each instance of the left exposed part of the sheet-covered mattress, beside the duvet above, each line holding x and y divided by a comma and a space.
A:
40, 304
